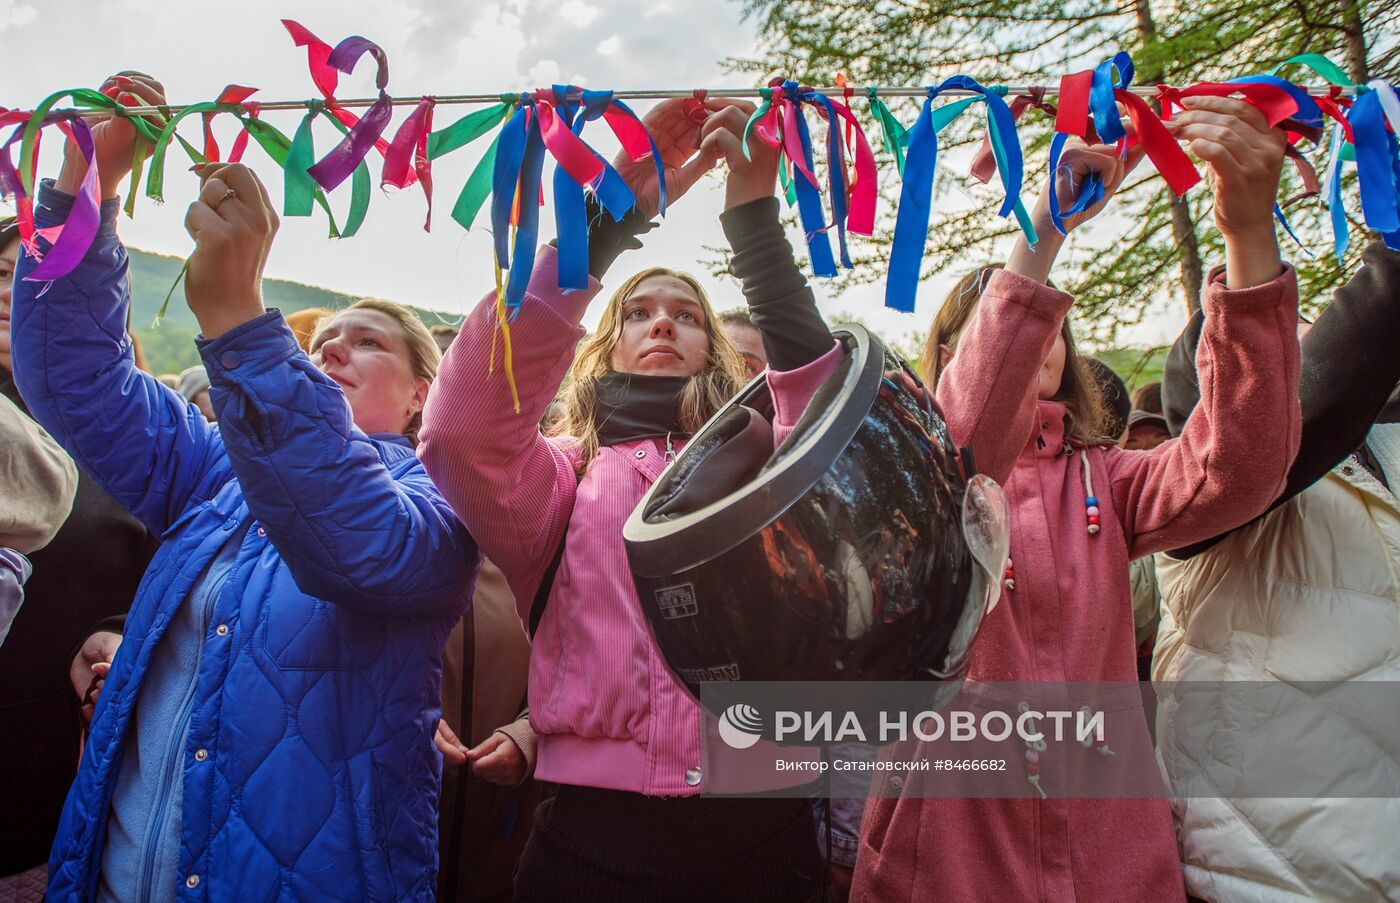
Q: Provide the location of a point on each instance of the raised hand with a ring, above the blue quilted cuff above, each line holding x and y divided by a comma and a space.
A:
233, 225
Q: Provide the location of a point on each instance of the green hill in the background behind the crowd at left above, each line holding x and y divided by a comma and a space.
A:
170, 348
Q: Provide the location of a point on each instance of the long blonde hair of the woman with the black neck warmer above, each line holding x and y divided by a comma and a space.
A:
722, 377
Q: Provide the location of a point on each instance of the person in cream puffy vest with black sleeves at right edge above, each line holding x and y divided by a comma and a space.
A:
1307, 593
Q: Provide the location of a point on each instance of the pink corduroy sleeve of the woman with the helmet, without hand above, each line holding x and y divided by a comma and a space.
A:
510, 486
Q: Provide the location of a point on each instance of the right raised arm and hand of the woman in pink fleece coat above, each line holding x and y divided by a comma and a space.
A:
1238, 444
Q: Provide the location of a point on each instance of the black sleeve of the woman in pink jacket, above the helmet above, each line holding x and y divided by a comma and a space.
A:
779, 297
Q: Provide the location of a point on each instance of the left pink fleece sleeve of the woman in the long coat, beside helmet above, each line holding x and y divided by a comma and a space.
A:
988, 391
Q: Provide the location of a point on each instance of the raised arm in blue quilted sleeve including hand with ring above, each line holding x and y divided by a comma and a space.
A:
356, 527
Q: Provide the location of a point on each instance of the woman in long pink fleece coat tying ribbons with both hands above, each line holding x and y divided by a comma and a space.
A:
1080, 510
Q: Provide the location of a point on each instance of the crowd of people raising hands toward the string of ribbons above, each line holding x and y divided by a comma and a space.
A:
338, 617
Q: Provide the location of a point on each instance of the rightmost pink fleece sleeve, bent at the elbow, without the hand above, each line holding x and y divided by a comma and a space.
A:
1234, 454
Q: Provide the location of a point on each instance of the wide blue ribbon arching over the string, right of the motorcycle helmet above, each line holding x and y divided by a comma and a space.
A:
915, 199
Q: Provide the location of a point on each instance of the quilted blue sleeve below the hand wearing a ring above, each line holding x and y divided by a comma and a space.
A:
351, 531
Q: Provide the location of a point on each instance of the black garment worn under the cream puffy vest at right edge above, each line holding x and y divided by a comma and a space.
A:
1350, 367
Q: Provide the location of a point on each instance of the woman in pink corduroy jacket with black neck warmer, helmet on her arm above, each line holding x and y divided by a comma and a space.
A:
617, 731
